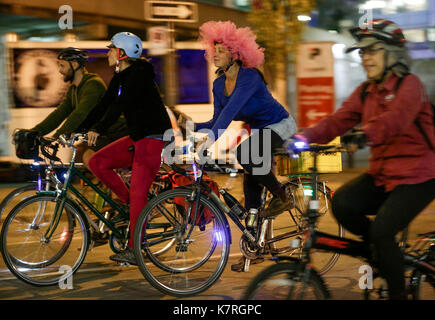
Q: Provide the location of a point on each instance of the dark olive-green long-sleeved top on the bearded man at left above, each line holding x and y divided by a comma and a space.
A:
76, 107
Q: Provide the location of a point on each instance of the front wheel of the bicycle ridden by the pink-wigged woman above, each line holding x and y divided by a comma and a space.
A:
184, 259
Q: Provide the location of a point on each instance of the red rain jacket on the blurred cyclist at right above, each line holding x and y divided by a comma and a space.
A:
400, 154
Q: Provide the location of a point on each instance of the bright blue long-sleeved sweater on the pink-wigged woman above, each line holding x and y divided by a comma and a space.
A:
250, 102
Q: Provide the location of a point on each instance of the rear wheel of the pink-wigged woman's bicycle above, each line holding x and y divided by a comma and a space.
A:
291, 223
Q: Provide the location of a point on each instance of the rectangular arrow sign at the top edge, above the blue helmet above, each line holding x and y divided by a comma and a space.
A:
175, 11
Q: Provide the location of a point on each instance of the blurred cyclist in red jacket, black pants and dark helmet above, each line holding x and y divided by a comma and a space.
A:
397, 124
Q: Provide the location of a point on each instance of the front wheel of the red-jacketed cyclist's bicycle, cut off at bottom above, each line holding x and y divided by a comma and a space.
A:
267, 286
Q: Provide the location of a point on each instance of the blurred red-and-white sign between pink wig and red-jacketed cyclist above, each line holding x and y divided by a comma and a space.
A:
315, 82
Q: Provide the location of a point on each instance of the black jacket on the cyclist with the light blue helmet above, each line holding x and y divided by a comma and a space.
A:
134, 93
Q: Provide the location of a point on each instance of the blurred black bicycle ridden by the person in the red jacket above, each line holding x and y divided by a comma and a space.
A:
294, 278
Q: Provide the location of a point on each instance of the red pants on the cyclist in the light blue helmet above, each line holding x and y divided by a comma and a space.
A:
145, 163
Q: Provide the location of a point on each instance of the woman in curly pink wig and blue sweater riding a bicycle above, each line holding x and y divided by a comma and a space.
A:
240, 93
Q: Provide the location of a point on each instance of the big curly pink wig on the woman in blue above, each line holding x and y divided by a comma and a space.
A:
239, 41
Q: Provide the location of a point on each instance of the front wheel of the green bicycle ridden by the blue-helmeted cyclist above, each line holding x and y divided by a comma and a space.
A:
69, 238
